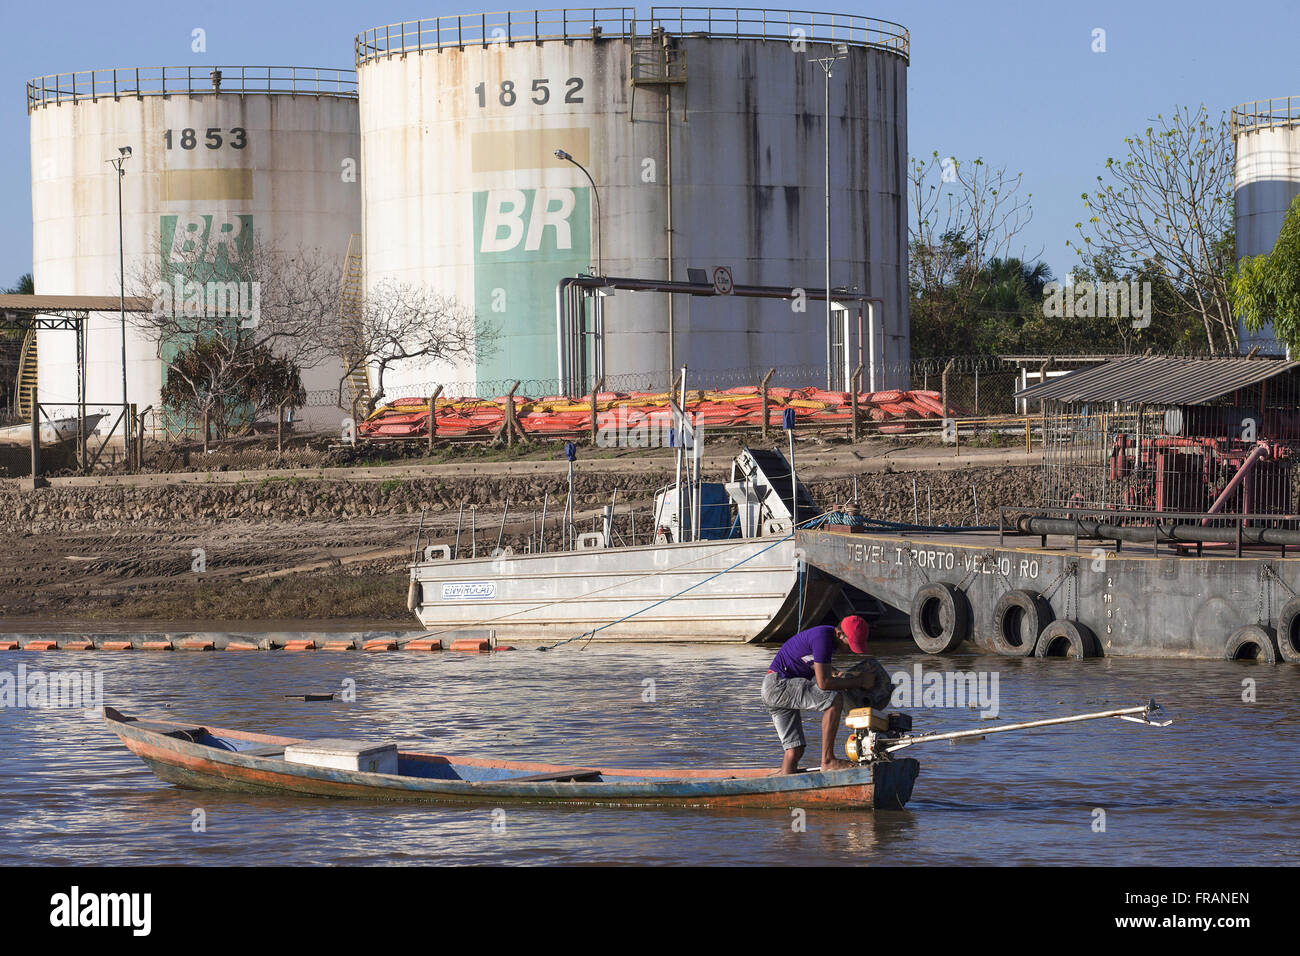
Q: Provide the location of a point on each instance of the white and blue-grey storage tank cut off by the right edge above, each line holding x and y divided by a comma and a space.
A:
1267, 135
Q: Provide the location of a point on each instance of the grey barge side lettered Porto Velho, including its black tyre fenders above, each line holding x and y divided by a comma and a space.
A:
1067, 595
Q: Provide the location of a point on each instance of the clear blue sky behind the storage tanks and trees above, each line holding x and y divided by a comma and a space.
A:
1013, 83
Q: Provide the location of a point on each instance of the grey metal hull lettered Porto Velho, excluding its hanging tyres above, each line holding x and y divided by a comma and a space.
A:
1138, 602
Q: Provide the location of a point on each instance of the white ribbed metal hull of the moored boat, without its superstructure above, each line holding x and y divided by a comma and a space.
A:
727, 591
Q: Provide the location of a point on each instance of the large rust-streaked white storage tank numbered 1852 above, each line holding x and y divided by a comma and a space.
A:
694, 139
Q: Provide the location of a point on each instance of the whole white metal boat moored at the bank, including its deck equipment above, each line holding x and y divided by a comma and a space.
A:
748, 586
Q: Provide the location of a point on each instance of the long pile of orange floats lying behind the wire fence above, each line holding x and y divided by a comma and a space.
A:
458, 418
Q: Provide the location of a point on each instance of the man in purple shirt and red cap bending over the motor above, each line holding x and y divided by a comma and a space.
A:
801, 678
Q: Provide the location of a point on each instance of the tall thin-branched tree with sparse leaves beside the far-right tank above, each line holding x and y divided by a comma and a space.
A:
1171, 204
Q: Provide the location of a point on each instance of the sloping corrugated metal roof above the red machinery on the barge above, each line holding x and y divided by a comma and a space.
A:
1158, 380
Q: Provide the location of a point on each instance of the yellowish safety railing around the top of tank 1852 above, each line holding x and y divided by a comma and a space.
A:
515, 27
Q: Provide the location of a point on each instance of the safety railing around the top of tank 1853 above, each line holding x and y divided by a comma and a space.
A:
167, 81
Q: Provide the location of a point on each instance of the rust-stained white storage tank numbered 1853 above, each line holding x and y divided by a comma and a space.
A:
219, 154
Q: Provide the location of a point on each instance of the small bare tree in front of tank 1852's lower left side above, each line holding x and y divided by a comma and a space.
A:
400, 323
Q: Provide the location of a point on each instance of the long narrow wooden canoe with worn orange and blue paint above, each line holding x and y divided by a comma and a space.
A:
201, 758
